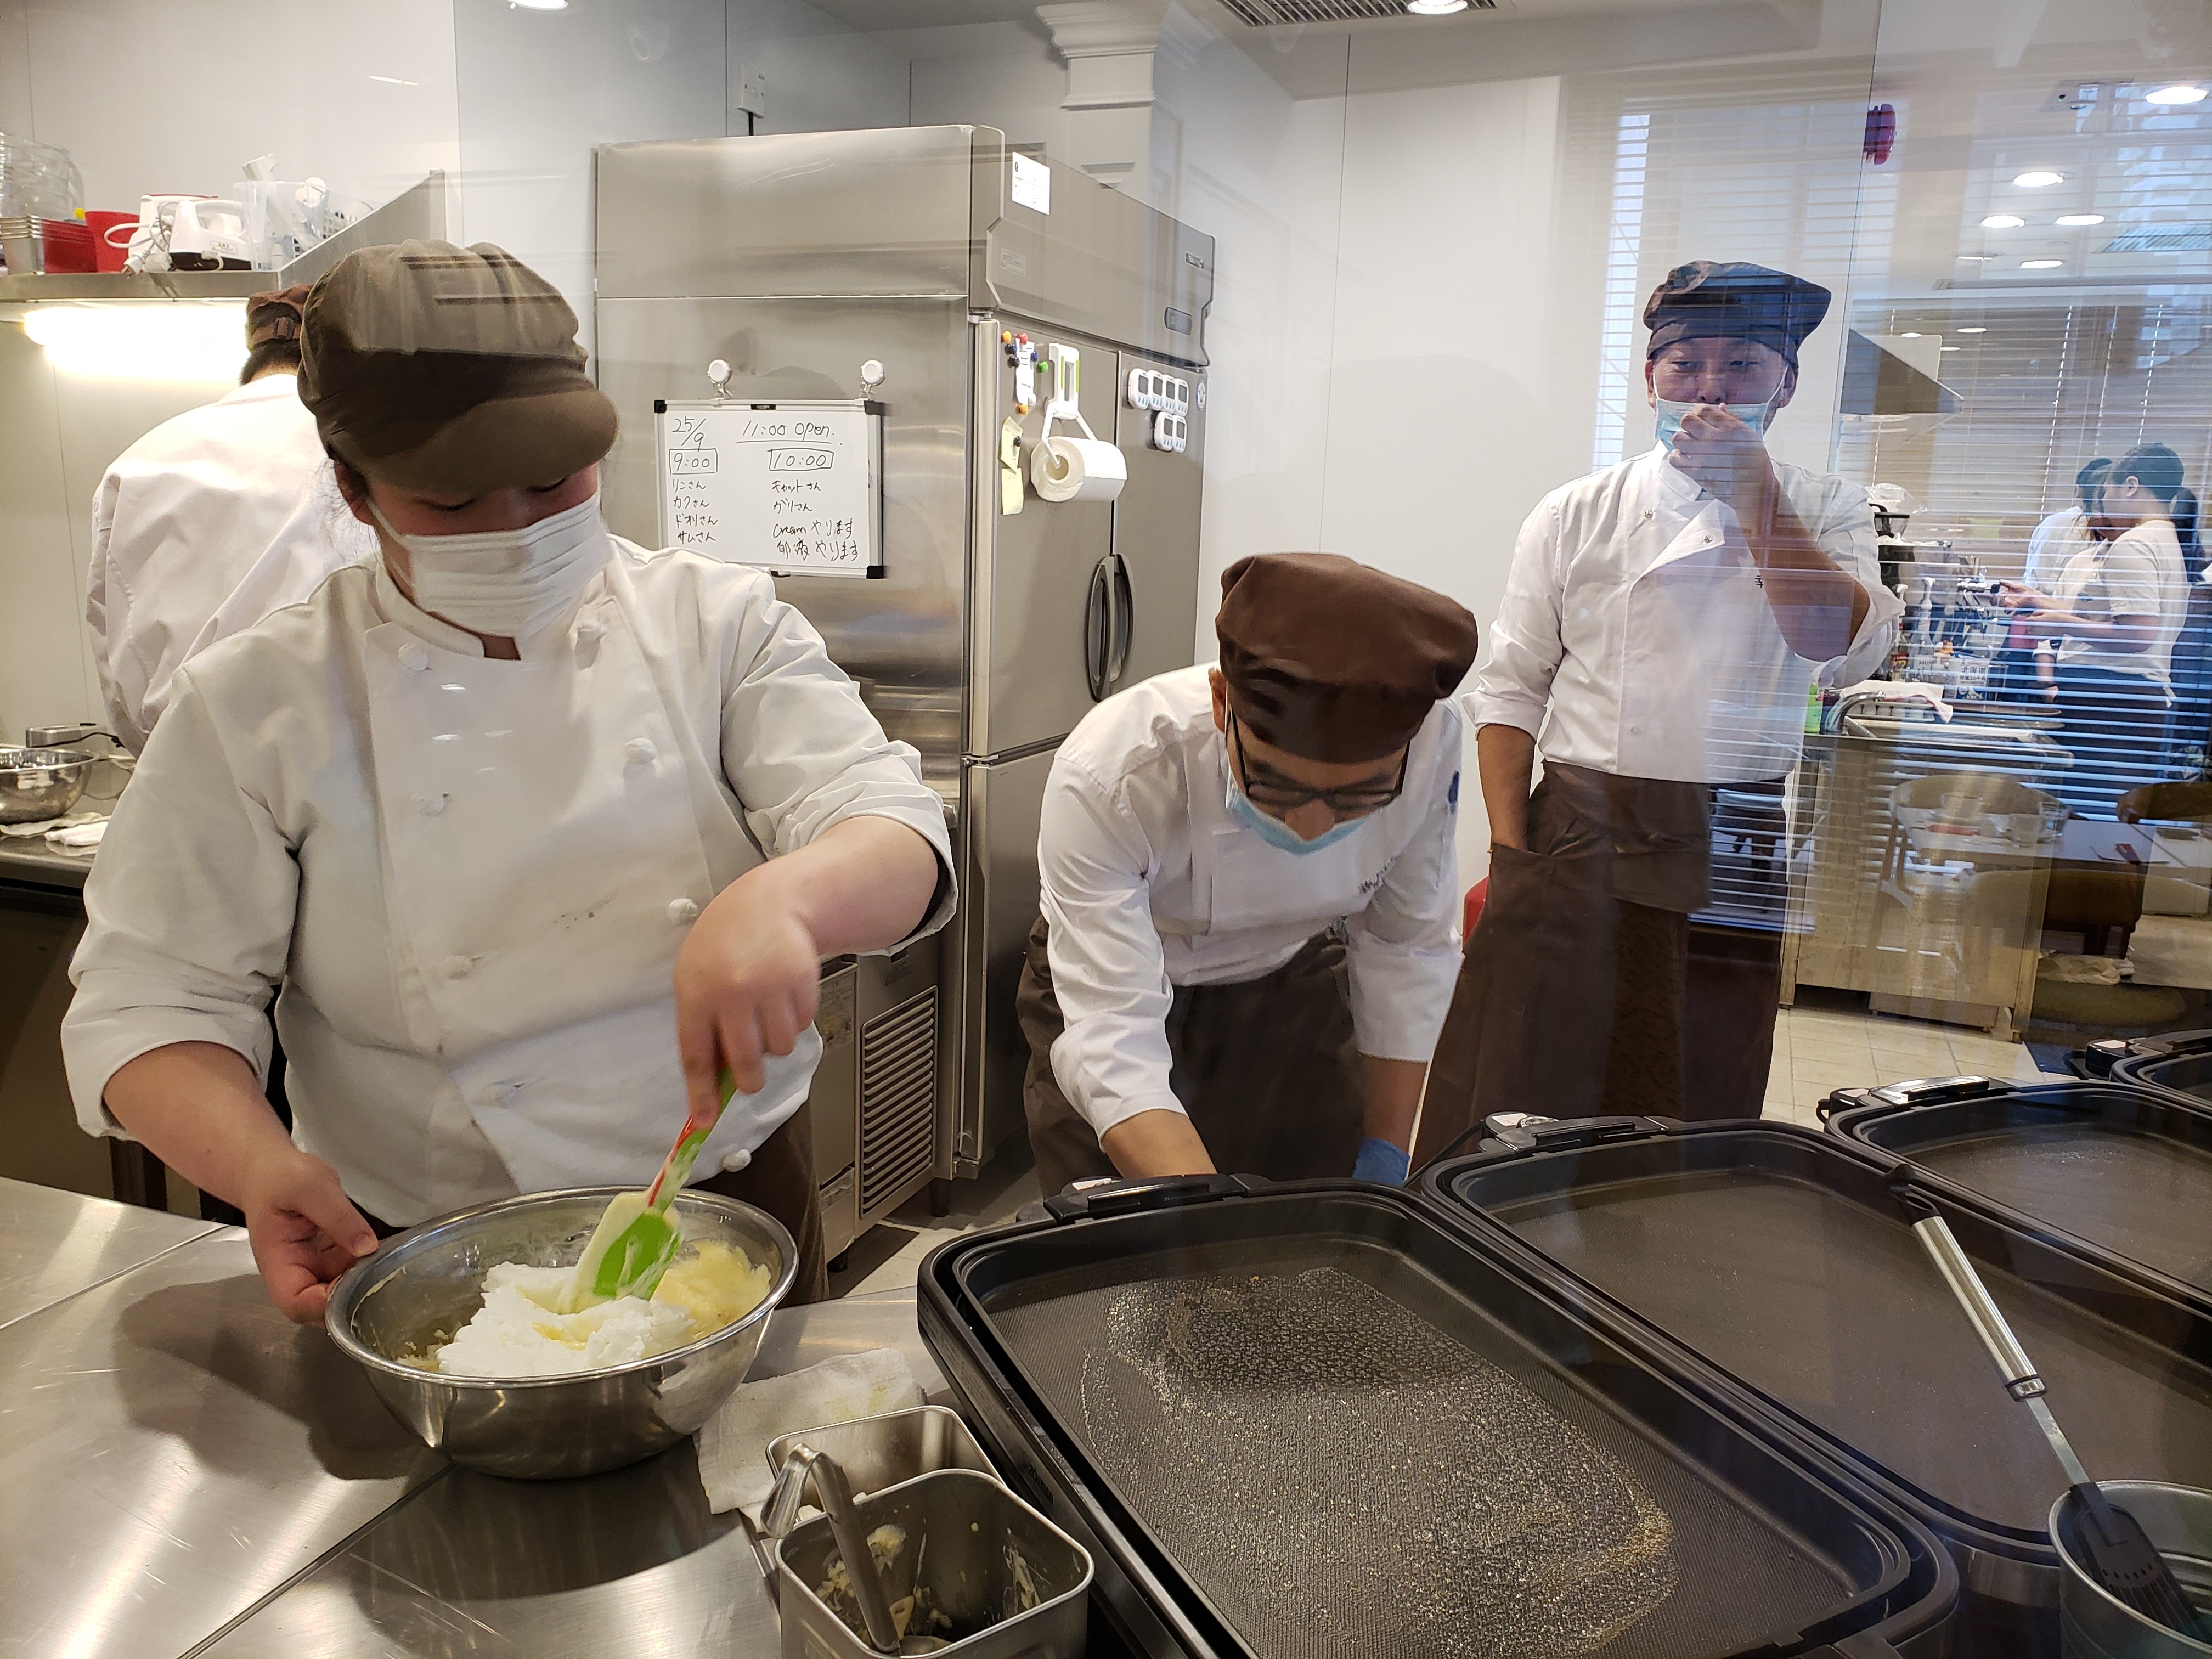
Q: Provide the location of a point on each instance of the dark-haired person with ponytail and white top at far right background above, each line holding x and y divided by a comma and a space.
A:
2116, 616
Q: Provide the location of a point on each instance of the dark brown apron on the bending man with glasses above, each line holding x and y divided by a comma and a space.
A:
1266, 1070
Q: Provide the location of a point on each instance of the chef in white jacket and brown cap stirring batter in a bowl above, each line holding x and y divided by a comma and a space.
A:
472, 808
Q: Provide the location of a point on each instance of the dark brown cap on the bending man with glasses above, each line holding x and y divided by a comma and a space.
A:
1335, 660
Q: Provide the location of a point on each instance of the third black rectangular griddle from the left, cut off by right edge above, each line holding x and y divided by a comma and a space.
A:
2111, 1169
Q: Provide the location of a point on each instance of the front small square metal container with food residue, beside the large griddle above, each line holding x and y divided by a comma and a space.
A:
966, 1532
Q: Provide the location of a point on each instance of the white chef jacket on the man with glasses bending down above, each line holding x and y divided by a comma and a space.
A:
1149, 884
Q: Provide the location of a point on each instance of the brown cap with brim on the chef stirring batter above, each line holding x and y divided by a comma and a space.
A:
444, 368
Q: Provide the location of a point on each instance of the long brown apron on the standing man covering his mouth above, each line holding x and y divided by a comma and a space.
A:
1587, 990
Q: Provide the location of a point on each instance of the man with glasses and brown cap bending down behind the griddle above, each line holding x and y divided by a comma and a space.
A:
1249, 893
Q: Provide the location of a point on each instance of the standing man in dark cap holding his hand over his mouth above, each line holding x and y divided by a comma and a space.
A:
1662, 627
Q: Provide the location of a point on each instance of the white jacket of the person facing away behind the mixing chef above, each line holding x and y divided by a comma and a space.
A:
178, 523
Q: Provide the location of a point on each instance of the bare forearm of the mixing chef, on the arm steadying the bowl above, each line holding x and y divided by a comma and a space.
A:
200, 1109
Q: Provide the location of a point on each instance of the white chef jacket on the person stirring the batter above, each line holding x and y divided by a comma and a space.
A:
472, 877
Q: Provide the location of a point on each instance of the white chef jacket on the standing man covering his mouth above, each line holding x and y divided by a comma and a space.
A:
1636, 636
